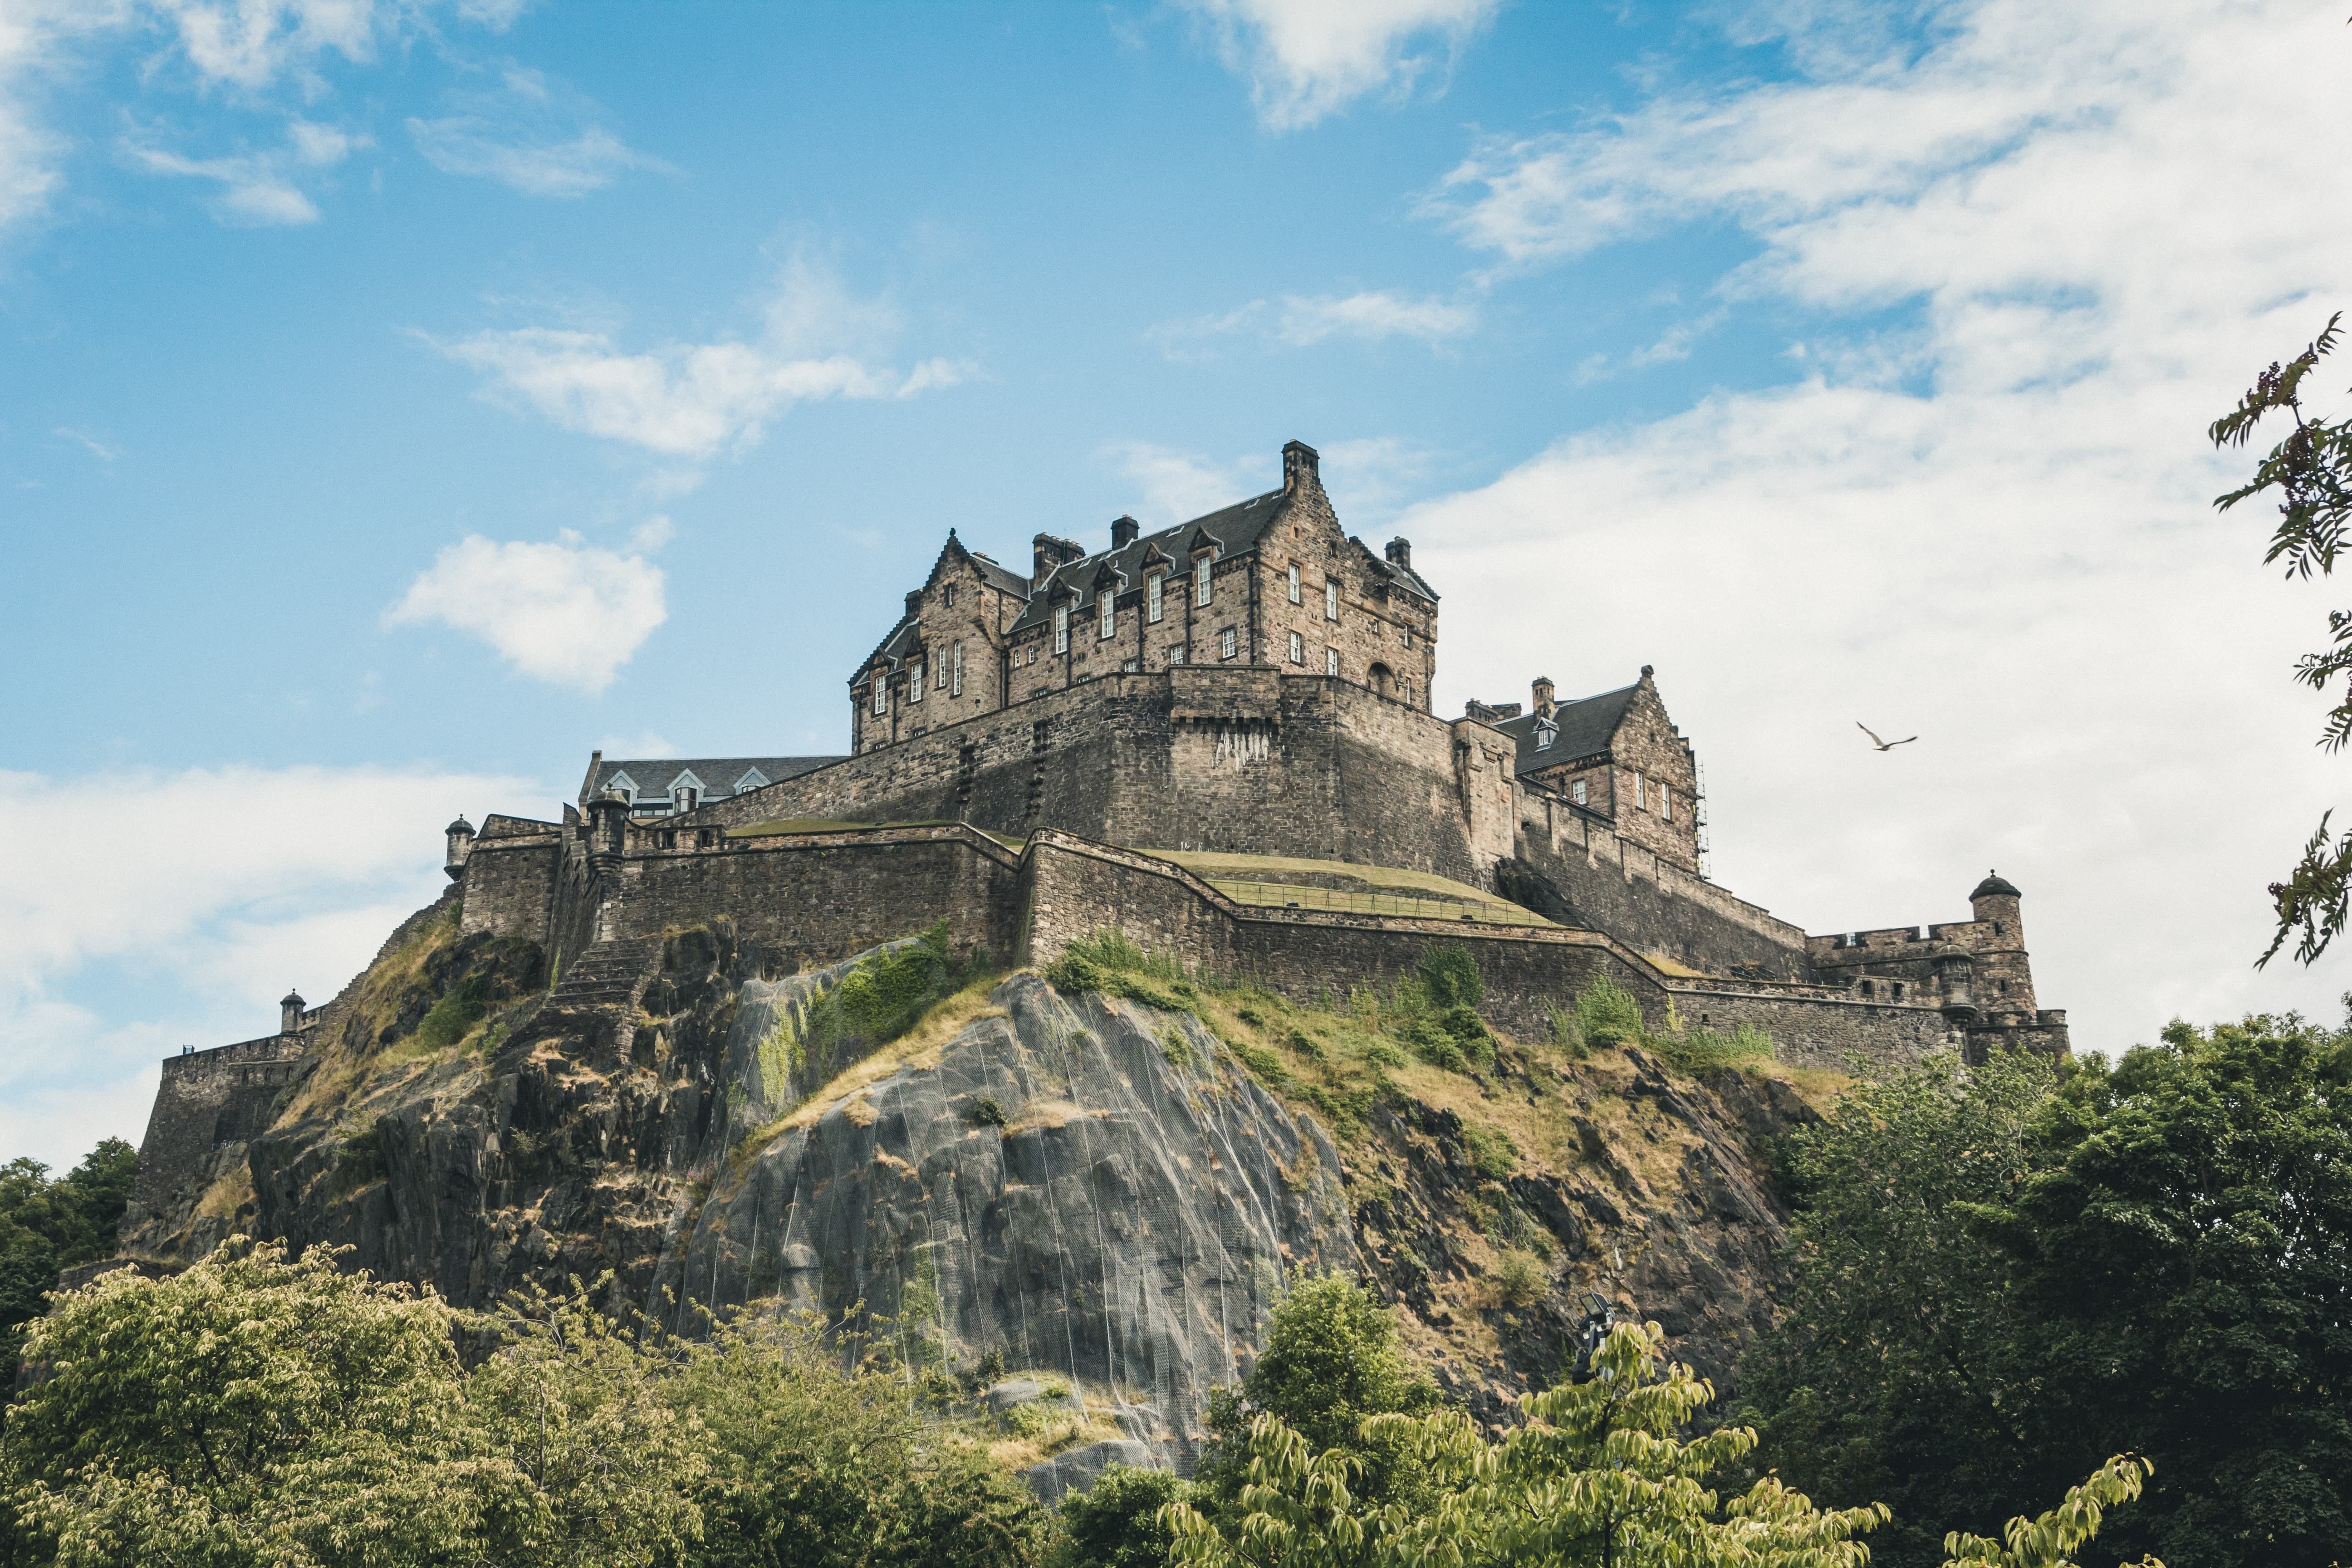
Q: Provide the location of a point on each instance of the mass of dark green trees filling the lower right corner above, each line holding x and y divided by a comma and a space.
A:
2003, 1278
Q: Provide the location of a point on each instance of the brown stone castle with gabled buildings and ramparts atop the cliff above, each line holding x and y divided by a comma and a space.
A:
1220, 739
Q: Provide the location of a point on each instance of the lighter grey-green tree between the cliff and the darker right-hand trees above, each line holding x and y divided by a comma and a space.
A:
1892, 1372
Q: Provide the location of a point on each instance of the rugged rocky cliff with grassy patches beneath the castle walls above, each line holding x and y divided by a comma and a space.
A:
989, 1177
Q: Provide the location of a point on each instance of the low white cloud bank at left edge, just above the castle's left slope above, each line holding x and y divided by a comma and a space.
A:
241, 883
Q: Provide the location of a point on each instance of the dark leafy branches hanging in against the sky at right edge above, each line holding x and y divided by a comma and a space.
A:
2311, 474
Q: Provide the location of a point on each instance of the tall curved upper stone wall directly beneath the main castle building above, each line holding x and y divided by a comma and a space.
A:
1241, 760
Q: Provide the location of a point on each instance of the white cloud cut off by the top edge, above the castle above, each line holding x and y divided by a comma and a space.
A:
1311, 58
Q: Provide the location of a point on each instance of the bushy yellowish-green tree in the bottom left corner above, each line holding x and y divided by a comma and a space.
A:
248, 1412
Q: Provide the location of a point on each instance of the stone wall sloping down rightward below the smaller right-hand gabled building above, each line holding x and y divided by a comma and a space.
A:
1575, 869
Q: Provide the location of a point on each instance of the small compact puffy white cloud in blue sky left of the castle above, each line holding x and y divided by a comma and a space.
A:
561, 612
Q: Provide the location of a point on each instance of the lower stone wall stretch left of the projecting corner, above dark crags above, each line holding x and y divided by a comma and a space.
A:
815, 899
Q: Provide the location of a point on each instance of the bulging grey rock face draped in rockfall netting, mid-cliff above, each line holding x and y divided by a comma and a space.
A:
1083, 1186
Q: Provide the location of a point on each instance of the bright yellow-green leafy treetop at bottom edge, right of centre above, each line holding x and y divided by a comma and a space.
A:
1601, 1473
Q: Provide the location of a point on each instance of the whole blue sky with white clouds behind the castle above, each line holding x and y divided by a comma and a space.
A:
399, 401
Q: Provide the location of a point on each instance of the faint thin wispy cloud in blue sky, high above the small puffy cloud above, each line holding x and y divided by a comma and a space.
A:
533, 135
